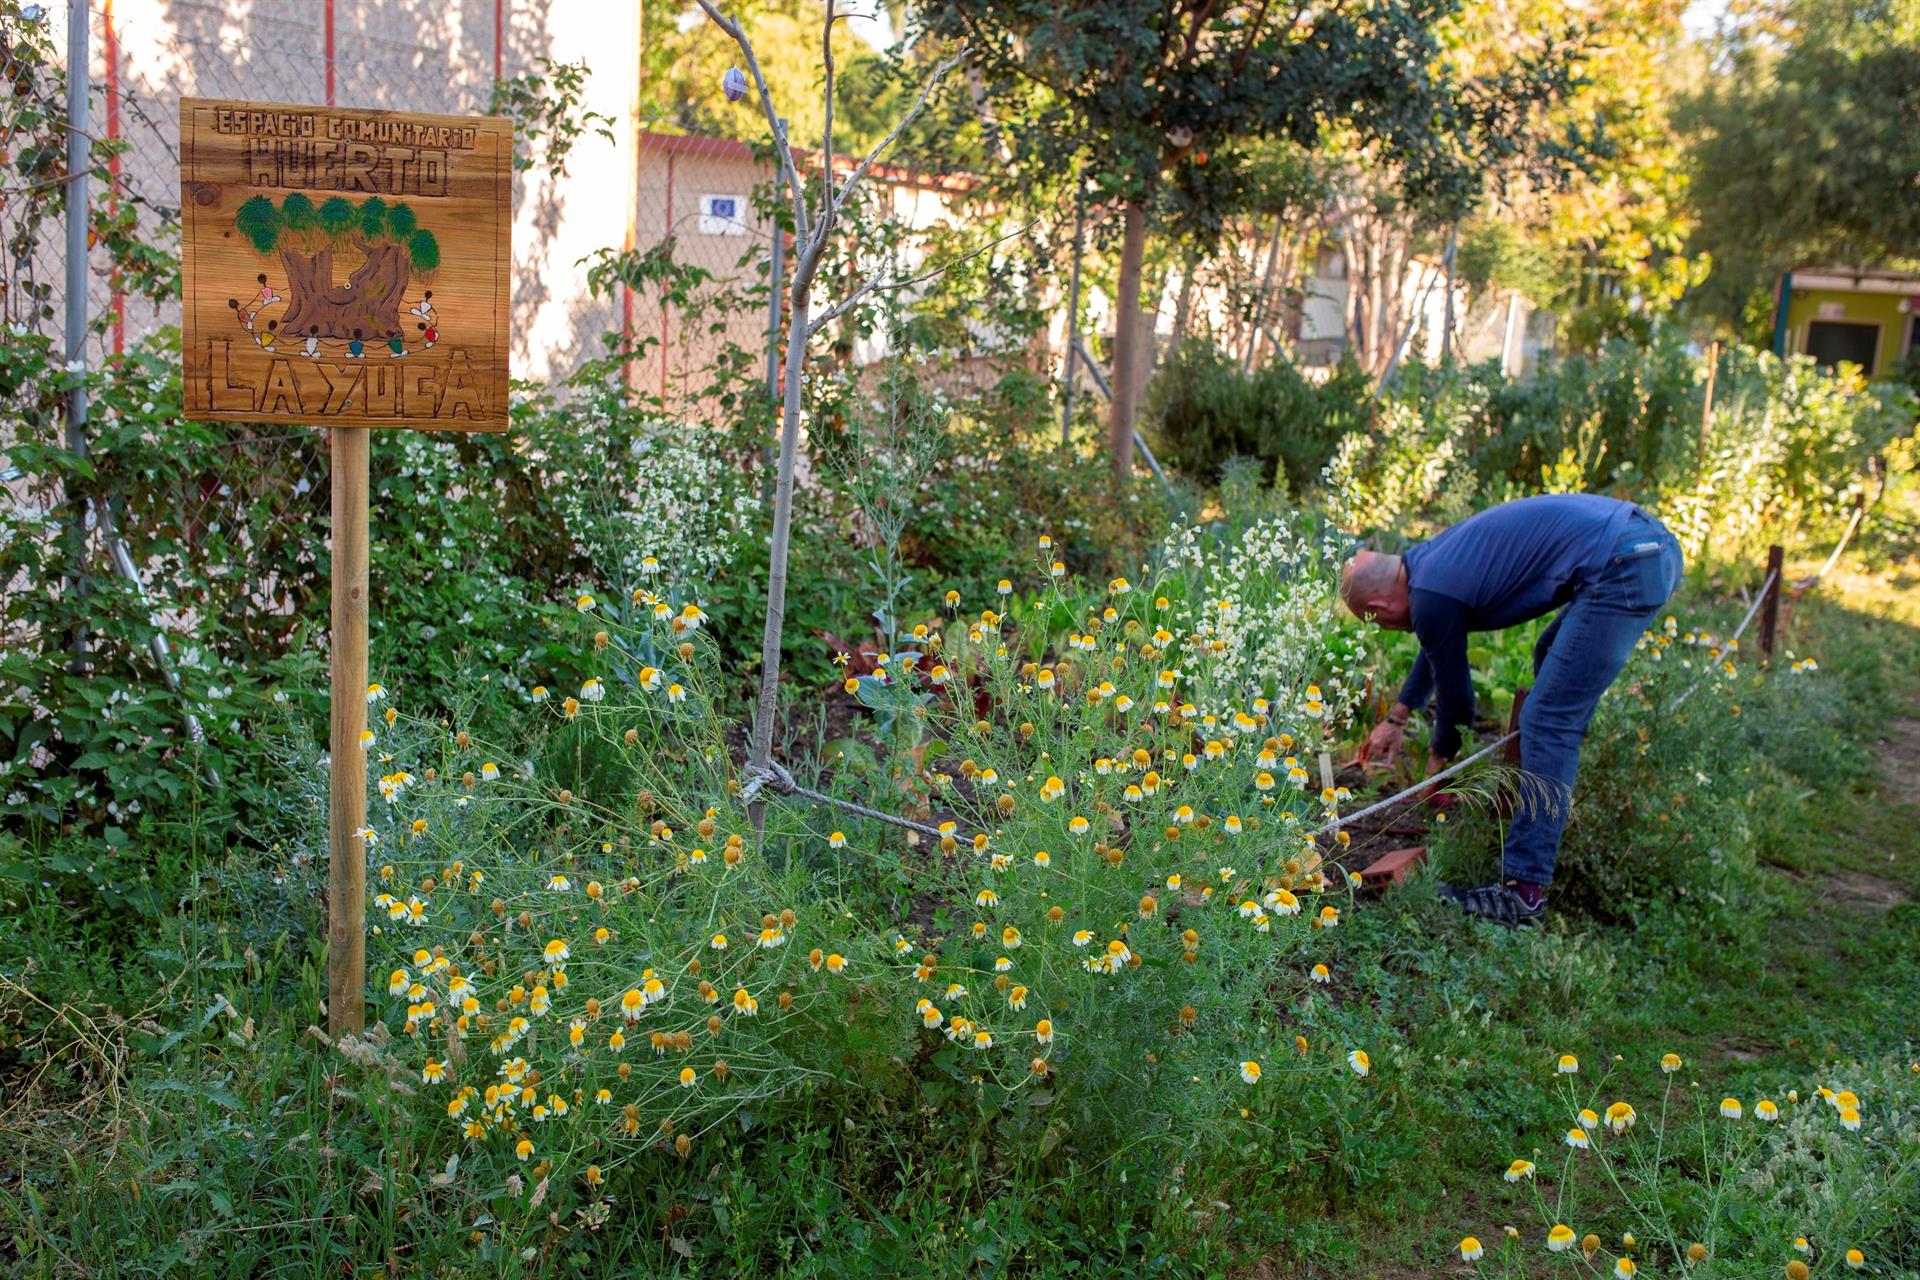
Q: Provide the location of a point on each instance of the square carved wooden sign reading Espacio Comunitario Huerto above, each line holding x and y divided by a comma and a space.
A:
345, 268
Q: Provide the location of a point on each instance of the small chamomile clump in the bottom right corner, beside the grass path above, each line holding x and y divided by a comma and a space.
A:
1660, 1173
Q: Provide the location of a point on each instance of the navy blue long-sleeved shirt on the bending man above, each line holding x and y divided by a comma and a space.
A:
1506, 565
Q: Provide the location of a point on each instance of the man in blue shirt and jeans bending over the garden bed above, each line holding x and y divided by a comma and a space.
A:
1606, 565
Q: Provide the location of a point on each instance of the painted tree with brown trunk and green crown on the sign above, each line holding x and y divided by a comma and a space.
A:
306, 237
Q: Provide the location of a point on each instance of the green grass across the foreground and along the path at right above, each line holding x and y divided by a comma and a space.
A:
168, 1110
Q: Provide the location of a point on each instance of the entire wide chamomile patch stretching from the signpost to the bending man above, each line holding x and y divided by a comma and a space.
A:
585, 959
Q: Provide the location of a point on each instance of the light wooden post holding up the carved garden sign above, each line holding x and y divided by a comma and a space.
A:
347, 803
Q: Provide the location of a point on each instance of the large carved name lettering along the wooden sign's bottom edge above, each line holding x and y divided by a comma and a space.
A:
297, 389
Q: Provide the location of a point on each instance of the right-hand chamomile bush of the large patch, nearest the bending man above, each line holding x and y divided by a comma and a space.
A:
1128, 909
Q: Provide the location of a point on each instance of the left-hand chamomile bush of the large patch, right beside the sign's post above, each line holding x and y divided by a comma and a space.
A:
583, 955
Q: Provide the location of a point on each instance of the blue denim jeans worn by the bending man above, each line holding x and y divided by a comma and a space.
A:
1575, 659
